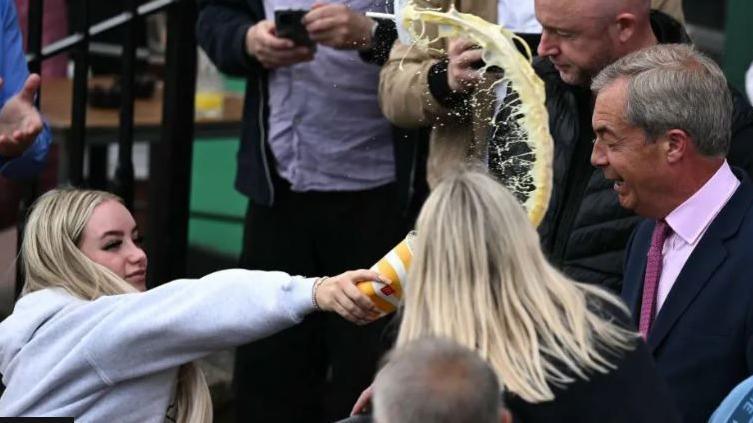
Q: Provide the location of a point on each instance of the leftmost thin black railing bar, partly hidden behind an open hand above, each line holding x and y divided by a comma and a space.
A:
34, 44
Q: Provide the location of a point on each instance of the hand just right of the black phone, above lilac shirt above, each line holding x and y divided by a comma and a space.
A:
337, 26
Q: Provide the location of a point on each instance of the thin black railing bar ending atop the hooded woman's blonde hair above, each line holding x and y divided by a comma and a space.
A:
76, 142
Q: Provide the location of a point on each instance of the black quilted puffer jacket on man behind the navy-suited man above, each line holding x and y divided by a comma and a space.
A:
585, 230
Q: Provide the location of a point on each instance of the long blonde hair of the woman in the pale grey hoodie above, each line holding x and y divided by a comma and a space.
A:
51, 258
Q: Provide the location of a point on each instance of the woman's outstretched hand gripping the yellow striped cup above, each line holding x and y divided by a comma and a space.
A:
340, 294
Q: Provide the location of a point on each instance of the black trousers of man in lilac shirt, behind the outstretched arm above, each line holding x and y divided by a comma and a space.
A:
314, 371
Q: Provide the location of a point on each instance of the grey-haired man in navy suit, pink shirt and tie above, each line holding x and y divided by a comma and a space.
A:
662, 124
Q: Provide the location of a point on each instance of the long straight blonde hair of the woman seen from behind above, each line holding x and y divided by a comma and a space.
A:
479, 277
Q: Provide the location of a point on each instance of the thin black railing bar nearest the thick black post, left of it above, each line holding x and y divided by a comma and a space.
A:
124, 181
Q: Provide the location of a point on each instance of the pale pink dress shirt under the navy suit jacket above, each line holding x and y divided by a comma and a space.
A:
689, 221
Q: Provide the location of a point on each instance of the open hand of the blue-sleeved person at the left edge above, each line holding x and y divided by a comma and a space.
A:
20, 121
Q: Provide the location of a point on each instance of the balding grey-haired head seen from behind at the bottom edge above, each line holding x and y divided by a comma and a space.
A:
436, 380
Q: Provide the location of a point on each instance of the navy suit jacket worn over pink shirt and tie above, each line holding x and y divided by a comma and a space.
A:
702, 339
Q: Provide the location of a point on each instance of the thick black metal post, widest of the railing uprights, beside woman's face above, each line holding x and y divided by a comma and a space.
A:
170, 159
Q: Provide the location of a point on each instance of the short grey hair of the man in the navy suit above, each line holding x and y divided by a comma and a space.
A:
673, 86
